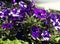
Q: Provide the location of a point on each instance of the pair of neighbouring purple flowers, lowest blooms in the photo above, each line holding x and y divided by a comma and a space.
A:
35, 32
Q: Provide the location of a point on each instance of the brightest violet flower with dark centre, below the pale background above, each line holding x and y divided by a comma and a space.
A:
39, 13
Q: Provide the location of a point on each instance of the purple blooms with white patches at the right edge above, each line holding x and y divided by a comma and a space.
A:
55, 19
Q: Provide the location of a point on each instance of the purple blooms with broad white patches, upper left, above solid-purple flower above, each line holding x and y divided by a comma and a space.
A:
17, 14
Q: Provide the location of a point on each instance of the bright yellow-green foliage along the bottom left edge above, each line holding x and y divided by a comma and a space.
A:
16, 41
